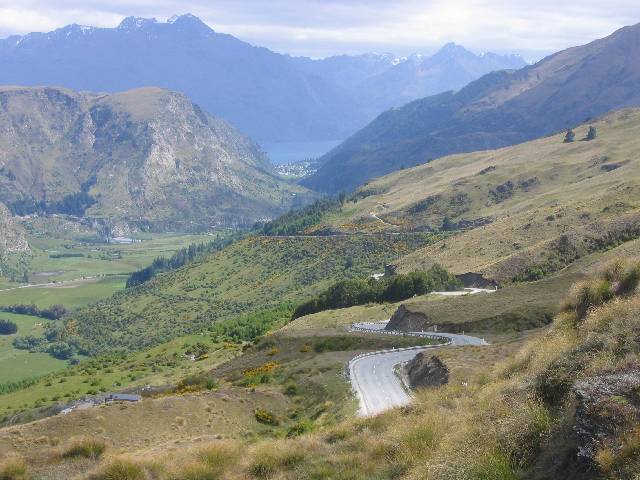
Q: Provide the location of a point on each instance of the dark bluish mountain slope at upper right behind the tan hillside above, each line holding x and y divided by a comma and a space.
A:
500, 109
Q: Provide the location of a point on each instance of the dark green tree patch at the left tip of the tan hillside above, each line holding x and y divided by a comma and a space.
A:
297, 221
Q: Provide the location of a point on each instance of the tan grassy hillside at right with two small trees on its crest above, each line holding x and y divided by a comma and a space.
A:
541, 204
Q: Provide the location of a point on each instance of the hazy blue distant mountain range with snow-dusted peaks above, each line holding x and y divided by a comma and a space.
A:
269, 96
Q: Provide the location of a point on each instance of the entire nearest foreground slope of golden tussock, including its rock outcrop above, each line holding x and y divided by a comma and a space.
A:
564, 406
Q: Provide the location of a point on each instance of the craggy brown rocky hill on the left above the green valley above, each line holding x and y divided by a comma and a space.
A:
147, 157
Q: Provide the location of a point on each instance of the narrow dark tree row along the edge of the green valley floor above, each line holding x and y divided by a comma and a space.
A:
182, 257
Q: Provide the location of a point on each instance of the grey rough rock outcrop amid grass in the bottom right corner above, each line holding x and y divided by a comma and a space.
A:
608, 406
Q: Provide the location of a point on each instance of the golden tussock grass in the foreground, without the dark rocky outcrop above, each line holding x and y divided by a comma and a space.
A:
491, 427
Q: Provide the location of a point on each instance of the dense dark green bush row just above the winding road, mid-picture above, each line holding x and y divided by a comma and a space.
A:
349, 293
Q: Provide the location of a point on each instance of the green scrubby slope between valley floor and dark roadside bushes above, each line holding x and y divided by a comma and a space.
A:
253, 274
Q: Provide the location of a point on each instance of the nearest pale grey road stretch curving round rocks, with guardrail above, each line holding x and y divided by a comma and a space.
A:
373, 376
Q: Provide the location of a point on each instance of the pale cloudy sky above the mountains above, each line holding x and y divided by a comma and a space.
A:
326, 27
